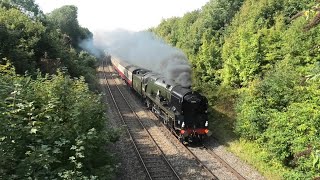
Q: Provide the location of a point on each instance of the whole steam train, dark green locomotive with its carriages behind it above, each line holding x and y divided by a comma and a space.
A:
182, 110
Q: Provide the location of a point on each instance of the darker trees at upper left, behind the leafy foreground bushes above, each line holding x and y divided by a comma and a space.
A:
32, 40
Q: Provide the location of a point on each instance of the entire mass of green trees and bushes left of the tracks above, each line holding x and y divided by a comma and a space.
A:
52, 126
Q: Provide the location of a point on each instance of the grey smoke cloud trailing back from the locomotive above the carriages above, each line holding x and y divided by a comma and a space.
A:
144, 49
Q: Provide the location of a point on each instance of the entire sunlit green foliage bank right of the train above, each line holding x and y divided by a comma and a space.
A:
266, 55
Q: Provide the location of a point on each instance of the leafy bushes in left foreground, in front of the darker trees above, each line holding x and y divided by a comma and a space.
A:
45, 132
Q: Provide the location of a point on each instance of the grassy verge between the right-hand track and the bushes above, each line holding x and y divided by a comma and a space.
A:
221, 125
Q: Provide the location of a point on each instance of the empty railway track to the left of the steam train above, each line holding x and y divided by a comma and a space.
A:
151, 157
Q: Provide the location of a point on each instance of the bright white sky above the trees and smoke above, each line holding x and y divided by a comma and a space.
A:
132, 15
